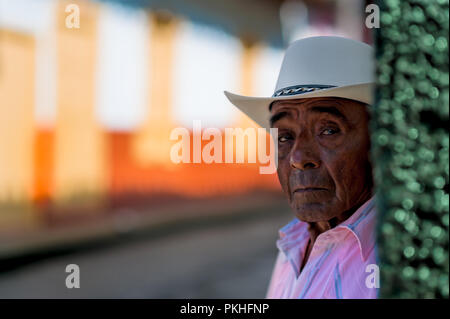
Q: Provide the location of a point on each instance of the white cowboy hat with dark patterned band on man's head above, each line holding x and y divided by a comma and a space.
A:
323, 66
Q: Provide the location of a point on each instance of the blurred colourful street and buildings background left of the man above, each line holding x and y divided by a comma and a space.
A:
85, 119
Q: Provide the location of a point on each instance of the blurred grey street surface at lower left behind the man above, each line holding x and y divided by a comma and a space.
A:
222, 260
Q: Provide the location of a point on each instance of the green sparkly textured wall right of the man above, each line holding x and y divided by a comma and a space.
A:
411, 148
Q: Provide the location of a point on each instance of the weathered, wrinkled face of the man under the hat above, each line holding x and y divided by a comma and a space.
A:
323, 155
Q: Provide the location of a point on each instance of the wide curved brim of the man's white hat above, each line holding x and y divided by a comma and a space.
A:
257, 108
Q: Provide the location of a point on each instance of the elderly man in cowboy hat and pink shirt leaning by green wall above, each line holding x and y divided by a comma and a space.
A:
320, 110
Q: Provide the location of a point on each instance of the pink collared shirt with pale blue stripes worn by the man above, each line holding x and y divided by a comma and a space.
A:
338, 266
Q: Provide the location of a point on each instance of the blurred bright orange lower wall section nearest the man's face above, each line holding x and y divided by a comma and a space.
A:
184, 179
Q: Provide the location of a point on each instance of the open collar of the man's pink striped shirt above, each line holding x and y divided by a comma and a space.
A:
360, 224
